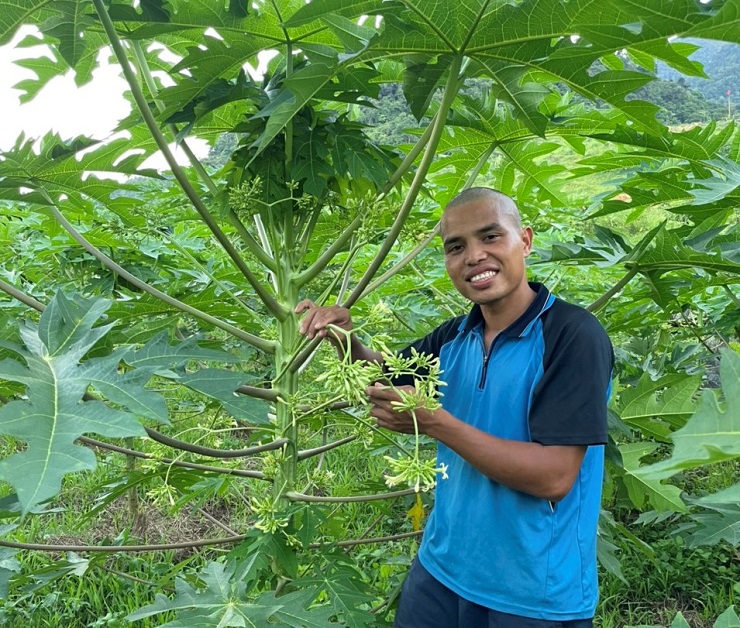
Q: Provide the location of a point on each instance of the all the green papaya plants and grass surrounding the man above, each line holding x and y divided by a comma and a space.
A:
175, 453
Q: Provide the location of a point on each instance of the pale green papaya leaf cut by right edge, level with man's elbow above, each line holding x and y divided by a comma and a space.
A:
712, 434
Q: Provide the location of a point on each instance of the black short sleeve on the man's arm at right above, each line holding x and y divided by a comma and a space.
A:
569, 403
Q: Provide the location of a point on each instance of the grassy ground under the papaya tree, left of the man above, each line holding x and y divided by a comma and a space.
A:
71, 591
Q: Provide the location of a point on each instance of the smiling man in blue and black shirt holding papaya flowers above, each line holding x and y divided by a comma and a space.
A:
511, 541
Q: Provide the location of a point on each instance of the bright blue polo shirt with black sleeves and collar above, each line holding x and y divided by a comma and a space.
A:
546, 379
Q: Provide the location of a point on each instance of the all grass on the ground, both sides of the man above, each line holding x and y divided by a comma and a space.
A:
72, 591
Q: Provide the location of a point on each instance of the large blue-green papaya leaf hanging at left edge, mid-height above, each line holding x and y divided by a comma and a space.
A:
54, 414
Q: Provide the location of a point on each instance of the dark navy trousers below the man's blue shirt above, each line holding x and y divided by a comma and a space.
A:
426, 603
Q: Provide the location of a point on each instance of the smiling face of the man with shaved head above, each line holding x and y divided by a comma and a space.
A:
484, 252
